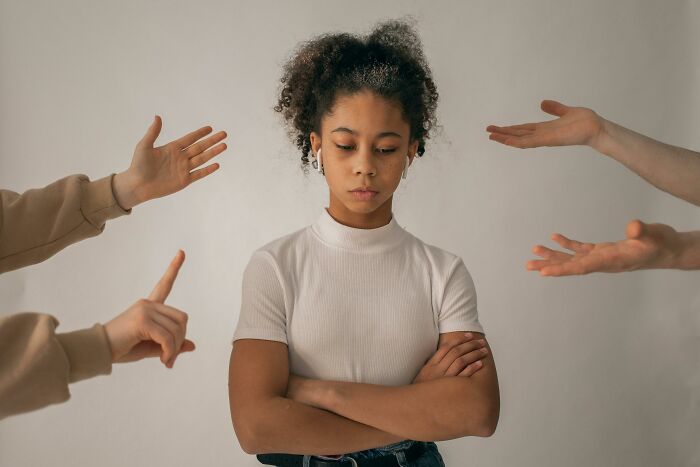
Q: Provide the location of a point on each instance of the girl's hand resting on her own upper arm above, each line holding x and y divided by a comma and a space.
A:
461, 357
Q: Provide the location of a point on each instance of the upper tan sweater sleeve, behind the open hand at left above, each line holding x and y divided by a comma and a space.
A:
40, 222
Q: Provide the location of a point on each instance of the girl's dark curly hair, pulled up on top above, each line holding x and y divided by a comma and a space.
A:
389, 62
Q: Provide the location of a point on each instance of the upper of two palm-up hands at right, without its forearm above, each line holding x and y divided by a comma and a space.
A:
575, 125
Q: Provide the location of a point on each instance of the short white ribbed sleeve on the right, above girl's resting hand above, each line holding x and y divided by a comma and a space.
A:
458, 310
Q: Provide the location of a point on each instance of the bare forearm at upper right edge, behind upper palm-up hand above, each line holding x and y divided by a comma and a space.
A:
670, 168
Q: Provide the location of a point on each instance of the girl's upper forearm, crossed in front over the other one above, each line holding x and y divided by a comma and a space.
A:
445, 408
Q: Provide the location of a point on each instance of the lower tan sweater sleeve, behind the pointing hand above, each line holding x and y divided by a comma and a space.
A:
36, 364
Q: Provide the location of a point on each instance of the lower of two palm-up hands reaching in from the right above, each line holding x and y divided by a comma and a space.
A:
647, 246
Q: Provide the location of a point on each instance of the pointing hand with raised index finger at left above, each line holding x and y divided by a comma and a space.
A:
150, 328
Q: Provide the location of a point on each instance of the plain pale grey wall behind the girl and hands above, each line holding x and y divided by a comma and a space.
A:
595, 370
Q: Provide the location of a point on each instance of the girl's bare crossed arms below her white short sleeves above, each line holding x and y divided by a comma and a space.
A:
273, 411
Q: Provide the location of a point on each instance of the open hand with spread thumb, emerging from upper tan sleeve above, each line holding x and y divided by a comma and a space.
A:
161, 171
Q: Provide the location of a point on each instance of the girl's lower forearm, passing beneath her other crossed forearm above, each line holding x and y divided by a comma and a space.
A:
286, 426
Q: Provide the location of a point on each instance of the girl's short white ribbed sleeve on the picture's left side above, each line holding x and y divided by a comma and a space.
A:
262, 314
